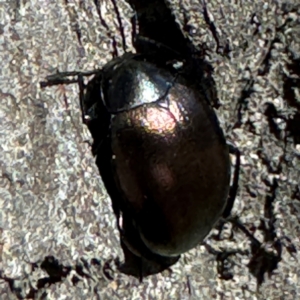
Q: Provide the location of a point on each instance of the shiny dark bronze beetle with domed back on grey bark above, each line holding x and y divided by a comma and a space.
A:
161, 154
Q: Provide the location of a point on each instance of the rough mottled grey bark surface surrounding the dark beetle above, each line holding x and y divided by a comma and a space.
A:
52, 199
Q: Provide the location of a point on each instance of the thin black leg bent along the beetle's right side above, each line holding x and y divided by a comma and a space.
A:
235, 183
